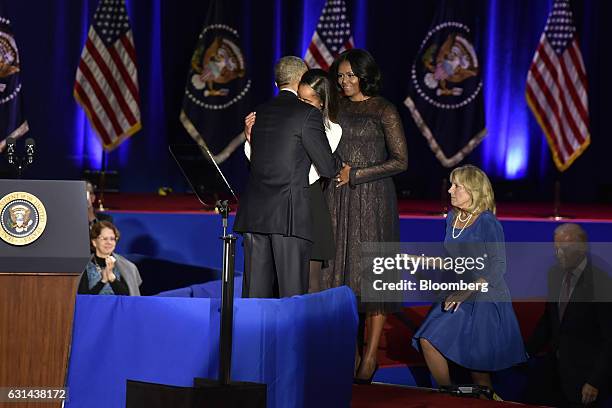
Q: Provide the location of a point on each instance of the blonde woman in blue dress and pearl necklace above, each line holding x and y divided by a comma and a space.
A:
475, 329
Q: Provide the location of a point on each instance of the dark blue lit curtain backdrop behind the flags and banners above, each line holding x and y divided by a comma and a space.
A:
514, 154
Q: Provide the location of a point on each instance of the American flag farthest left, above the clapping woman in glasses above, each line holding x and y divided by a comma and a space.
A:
106, 84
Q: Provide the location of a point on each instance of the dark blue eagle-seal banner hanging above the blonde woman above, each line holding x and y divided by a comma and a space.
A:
446, 95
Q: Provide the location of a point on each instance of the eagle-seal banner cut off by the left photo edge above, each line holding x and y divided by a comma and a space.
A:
12, 120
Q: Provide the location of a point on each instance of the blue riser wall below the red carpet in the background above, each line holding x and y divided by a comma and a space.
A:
172, 243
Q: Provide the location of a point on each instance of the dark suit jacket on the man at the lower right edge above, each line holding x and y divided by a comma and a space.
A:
583, 339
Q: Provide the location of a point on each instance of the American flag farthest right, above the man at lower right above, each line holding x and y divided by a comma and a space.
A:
557, 87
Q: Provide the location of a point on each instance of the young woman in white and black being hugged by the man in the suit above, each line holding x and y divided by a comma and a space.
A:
317, 90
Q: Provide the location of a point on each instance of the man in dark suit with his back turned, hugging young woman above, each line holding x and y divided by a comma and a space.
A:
274, 213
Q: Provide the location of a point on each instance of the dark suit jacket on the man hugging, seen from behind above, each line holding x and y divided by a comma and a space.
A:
287, 137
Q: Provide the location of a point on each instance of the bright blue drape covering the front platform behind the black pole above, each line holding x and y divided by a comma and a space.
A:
302, 347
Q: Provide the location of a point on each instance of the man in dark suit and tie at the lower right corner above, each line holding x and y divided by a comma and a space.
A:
576, 325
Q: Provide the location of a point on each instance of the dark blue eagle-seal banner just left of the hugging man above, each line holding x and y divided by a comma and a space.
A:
215, 103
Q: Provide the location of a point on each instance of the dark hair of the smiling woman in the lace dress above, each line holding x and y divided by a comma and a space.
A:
362, 65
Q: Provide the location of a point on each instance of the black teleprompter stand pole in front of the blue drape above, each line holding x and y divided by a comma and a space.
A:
227, 298
